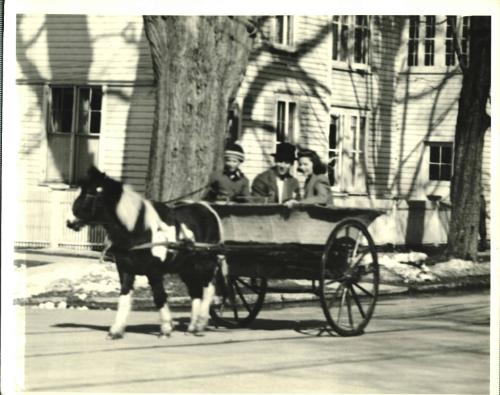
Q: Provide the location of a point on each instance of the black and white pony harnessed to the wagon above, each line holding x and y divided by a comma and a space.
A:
138, 230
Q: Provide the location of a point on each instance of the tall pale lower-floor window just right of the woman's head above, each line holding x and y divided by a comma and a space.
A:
345, 154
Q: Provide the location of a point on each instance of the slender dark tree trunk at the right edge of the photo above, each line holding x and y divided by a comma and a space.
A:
472, 122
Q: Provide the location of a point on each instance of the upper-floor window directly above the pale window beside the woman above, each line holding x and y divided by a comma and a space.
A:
350, 38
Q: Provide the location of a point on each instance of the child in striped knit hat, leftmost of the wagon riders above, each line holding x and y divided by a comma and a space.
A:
231, 184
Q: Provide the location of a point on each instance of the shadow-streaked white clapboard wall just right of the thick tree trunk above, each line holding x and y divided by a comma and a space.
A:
301, 75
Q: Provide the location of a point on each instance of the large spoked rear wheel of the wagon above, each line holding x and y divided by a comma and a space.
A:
349, 278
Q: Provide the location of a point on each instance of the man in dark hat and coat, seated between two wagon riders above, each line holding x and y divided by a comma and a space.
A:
277, 185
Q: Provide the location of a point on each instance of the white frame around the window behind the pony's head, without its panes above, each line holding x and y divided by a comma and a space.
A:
47, 100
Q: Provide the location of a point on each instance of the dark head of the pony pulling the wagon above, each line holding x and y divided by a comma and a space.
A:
99, 195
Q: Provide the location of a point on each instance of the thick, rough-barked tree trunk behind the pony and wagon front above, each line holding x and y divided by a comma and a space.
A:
199, 63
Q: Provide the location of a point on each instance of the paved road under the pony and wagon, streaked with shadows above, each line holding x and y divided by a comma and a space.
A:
425, 344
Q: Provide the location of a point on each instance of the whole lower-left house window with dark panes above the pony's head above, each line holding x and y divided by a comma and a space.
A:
73, 129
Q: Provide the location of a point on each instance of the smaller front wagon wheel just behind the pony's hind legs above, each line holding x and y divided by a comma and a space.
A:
238, 300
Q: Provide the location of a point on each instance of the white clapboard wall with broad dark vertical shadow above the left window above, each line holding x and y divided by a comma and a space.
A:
80, 48
